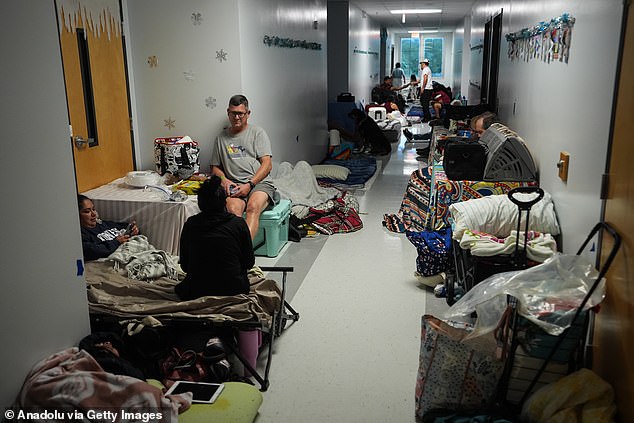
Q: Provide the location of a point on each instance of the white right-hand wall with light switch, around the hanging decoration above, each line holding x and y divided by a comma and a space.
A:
563, 107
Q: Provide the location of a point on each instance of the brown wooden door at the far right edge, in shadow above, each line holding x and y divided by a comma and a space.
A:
614, 337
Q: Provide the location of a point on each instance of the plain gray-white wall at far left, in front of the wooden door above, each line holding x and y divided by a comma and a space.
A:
43, 306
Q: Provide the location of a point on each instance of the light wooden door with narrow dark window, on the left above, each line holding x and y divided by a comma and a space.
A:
96, 90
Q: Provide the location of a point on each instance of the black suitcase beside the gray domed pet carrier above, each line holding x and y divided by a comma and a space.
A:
464, 159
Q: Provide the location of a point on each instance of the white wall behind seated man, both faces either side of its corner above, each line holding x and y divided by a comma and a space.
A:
286, 87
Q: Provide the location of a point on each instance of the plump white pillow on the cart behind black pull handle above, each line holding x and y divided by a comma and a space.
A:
497, 215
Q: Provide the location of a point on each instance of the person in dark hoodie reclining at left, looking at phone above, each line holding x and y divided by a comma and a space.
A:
100, 238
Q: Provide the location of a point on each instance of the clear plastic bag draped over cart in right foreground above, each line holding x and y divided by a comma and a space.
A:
548, 295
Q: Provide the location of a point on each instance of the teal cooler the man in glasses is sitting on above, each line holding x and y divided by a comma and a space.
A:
273, 231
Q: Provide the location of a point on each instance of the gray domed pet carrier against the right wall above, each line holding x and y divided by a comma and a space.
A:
508, 157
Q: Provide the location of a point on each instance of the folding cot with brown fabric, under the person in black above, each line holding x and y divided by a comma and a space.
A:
115, 300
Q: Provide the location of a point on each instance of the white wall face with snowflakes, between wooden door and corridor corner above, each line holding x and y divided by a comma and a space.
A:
165, 29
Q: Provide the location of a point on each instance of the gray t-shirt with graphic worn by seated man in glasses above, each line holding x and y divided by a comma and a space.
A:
238, 154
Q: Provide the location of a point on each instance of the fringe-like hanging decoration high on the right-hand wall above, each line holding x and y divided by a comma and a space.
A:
546, 41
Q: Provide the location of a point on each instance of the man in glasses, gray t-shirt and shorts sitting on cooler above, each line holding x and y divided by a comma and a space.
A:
241, 157
